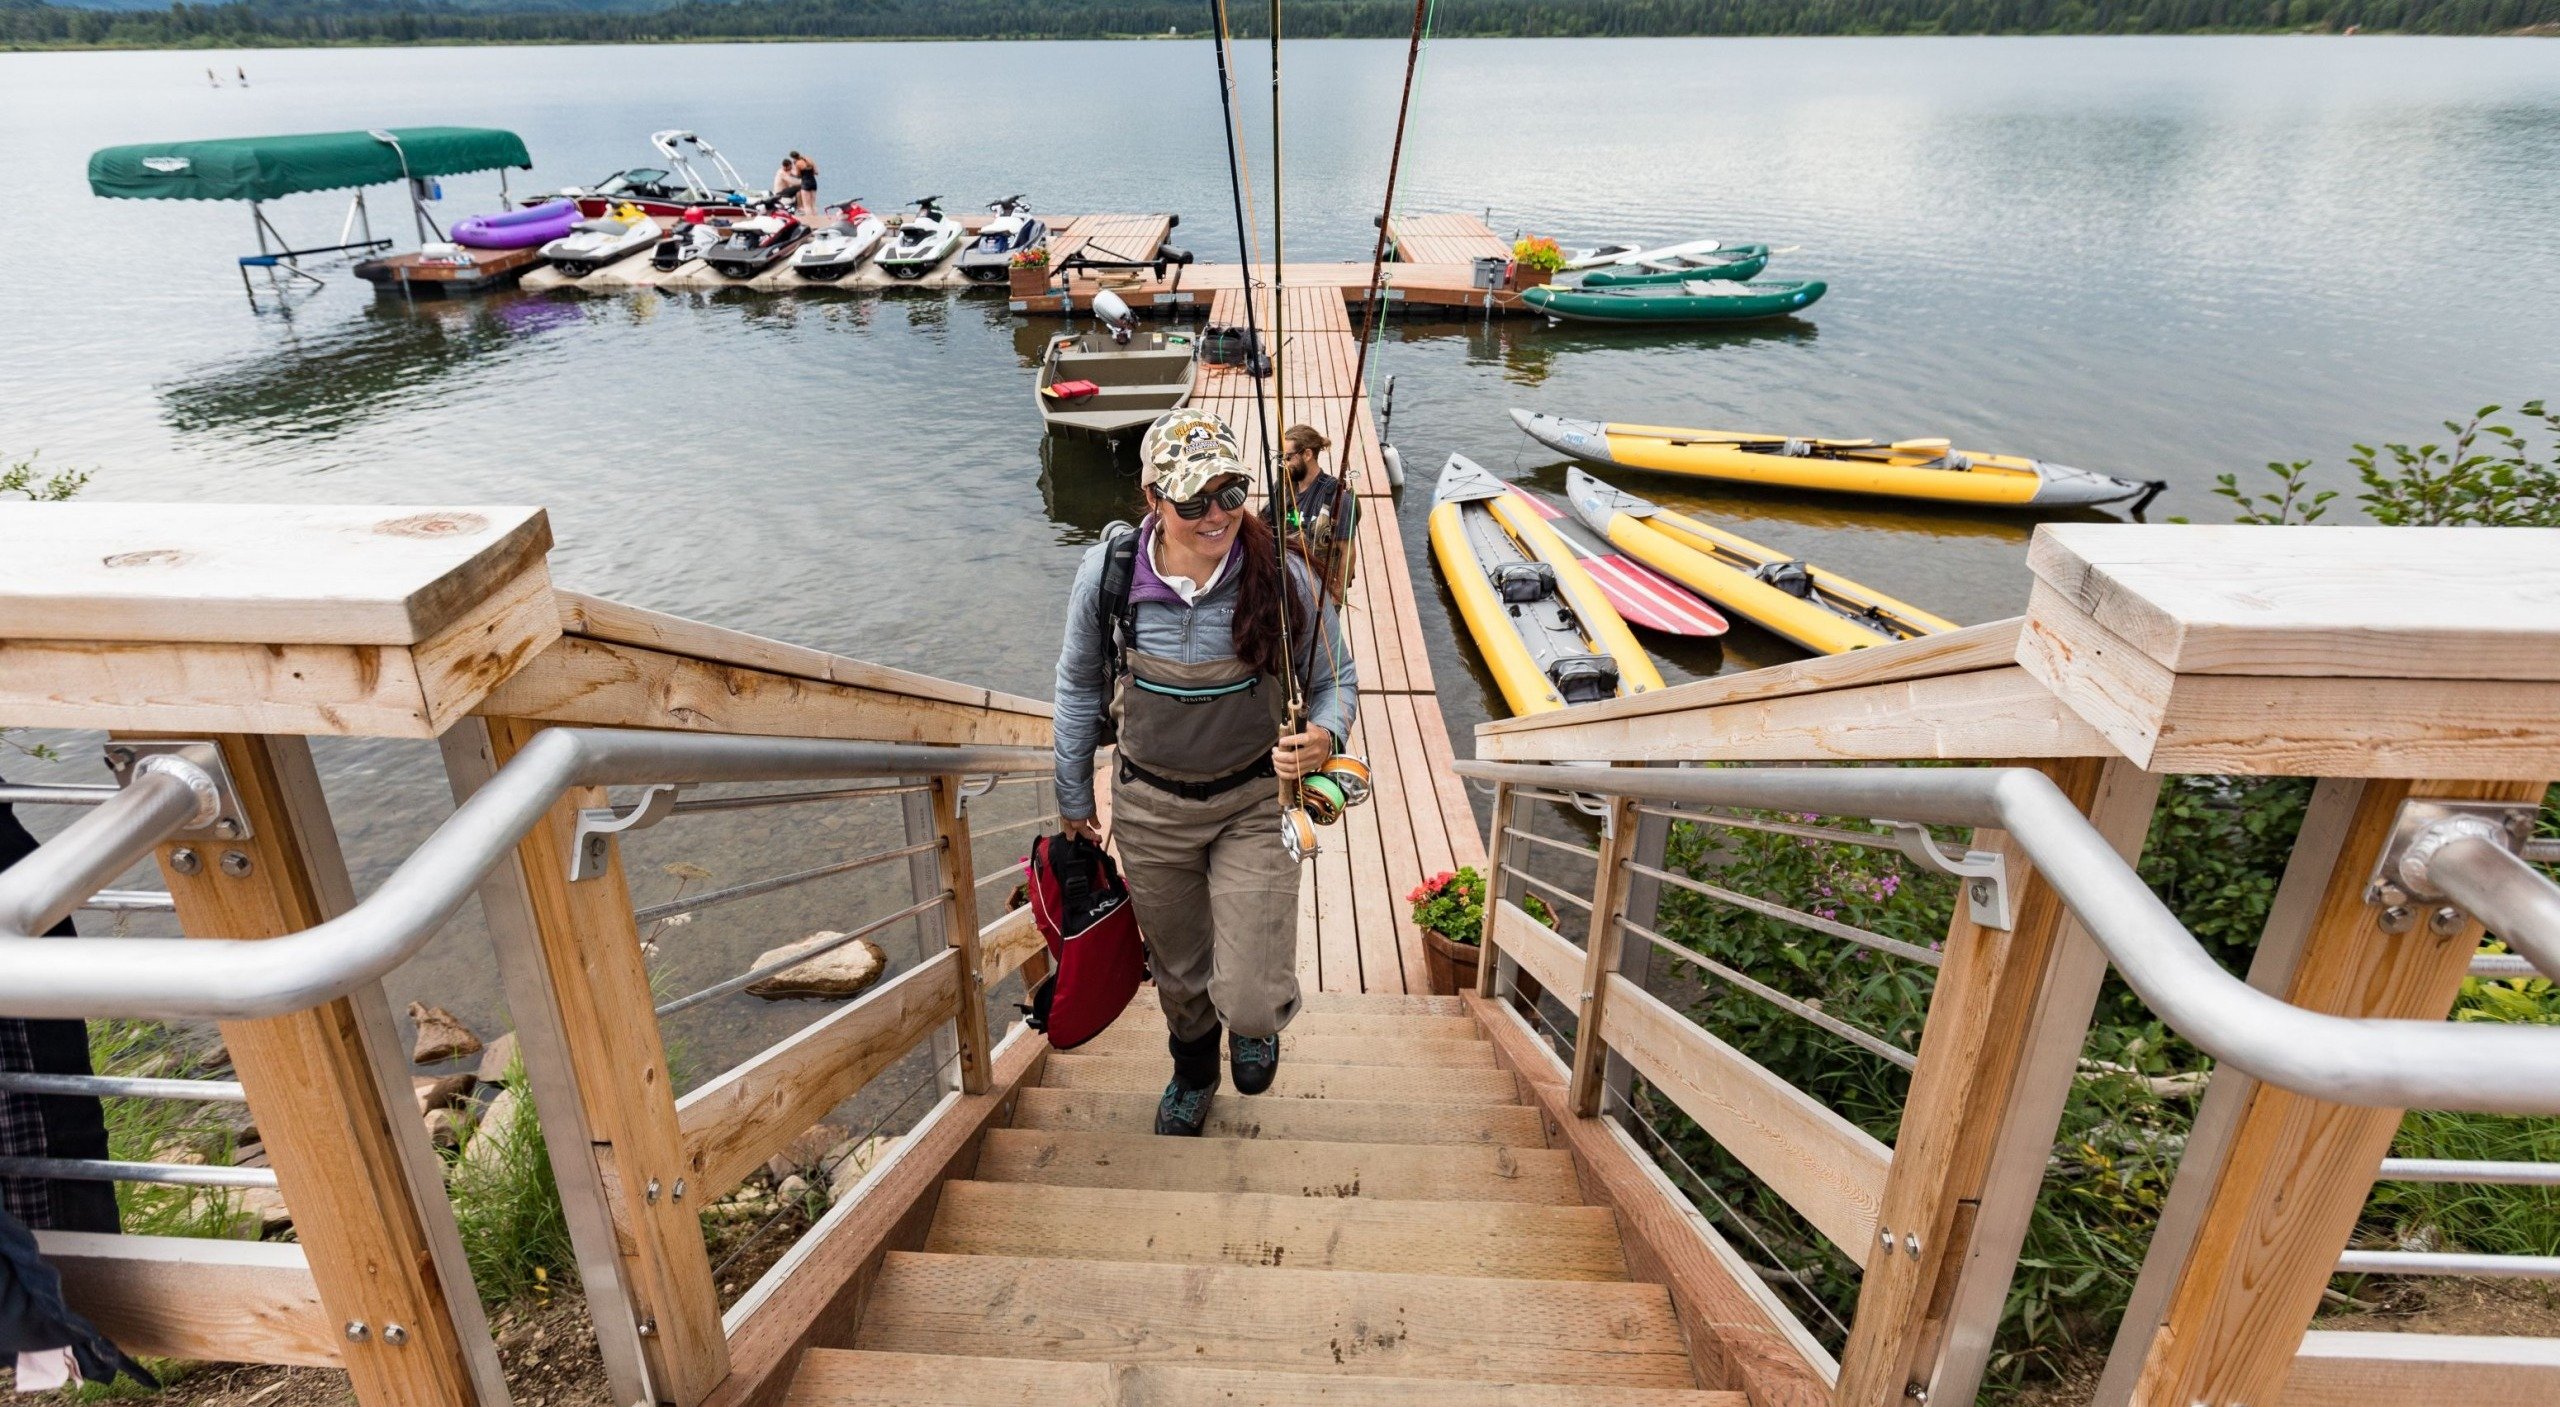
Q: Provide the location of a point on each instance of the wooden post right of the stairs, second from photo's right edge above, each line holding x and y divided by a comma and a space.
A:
1975, 1040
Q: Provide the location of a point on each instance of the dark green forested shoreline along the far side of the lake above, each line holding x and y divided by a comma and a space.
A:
626, 22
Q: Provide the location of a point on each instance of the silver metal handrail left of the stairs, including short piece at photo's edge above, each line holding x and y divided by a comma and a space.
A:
239, 979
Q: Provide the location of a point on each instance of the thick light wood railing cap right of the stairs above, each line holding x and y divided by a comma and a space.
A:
2305, 651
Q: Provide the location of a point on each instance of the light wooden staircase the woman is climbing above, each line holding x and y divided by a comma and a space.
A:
1389, 1227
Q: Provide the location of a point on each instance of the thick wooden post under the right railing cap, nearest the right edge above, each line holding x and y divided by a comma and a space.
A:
2298, 1170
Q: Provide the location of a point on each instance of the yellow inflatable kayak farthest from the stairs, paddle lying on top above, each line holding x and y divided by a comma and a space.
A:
1903, 469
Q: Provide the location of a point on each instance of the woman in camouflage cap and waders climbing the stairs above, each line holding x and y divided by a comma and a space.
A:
1192, 677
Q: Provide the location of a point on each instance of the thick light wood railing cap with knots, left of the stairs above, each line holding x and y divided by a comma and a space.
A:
268, 618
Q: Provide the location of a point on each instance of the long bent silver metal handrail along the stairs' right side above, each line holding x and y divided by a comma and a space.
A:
2380, 1063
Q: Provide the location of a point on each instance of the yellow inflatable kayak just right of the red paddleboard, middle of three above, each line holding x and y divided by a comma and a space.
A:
1814, 608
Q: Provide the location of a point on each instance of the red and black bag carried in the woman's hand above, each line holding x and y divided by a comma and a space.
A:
1097, 955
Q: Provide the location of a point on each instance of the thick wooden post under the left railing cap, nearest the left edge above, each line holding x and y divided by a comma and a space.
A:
342, 1150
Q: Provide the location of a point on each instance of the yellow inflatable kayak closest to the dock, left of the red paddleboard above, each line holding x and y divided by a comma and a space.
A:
1540, 620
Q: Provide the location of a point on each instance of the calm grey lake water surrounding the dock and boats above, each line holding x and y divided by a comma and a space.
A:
2157, 257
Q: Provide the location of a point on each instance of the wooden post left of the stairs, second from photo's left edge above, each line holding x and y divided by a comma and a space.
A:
608, 1014
